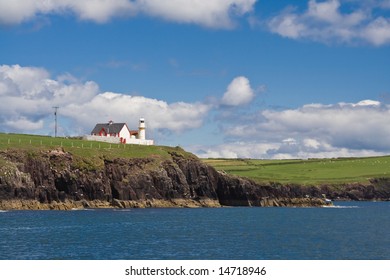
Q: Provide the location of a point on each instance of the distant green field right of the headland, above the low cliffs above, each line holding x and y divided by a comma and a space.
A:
307, 172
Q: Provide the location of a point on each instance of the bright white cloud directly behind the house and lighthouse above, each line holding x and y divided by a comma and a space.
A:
159, 114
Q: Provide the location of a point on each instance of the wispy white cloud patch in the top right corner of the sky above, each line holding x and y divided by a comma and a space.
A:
324, 21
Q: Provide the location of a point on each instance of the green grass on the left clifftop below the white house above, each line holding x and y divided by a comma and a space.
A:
88, 154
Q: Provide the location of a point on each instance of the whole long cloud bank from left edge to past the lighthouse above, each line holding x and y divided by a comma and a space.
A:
28, 95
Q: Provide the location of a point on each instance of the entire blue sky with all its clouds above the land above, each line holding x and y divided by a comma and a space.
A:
220, 78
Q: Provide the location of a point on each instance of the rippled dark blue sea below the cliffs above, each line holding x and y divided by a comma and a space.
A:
353, 230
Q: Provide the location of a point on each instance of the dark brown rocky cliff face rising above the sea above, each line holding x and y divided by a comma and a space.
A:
51, 180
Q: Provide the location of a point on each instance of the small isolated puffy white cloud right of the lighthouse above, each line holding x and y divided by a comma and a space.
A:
239, 92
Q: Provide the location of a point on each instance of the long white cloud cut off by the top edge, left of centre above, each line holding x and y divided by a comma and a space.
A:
211, 13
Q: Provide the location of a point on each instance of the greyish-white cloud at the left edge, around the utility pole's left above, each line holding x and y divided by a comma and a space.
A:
28, 95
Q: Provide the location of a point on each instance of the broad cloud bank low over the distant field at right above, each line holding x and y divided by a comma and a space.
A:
313, 130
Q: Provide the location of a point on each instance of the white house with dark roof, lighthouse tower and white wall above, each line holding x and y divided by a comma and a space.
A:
120, 133
